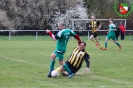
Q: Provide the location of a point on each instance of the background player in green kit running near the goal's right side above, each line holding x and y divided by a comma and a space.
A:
111, 35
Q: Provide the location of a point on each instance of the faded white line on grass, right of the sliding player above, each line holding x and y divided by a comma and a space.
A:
105, 78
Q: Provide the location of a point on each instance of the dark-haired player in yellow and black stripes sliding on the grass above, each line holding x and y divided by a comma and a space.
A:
78, 56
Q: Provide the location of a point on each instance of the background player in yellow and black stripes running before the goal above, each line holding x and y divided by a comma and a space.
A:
95, 26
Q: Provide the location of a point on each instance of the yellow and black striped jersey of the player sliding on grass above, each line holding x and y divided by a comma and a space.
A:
77, 57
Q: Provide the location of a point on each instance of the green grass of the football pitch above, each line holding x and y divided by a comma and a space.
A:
24, 63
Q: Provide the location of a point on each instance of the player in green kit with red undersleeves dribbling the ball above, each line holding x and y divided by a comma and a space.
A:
62, 38
